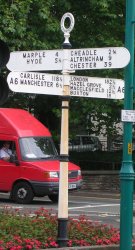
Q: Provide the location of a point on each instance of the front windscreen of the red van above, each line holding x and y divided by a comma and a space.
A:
37, 148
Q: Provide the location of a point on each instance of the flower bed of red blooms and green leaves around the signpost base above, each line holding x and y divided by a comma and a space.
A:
22, 231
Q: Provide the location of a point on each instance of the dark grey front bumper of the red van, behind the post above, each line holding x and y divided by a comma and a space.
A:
47, 188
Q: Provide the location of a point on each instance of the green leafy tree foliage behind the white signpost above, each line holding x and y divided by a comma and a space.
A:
35, 25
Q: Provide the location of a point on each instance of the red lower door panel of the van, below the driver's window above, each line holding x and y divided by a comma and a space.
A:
9, 172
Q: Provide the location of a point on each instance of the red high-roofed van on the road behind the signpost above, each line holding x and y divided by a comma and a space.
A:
33, 168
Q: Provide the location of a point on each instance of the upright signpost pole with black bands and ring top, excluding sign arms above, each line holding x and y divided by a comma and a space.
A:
63, 179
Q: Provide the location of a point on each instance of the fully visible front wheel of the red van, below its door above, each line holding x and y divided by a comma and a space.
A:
22, 193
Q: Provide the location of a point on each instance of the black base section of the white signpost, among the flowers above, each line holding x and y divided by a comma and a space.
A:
62, 232
